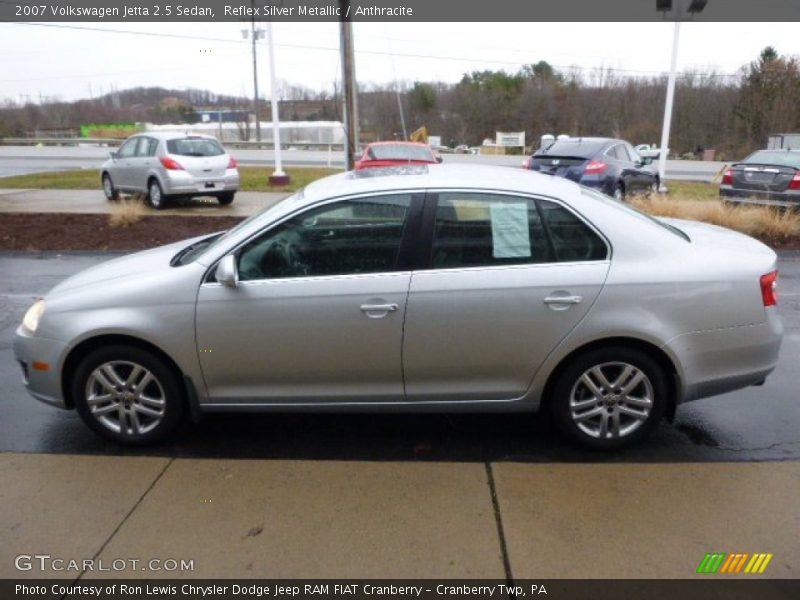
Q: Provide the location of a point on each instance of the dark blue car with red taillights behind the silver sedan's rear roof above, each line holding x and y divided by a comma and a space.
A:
609, 165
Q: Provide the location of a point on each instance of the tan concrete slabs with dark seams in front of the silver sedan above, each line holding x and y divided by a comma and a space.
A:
288, 519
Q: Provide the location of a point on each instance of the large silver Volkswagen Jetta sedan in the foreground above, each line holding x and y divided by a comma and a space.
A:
435, 288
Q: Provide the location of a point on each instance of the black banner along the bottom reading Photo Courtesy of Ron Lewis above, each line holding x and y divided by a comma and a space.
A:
713, 588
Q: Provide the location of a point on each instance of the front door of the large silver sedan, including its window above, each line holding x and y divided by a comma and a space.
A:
317, 314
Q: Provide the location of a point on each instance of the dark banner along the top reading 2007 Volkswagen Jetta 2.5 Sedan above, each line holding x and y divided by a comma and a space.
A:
399, 11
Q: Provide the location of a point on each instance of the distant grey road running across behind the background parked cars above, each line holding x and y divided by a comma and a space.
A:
19, 160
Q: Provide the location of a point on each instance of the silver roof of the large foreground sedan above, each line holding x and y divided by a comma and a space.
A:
435, 176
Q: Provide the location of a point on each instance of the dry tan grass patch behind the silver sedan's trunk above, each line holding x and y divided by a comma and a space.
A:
770, 225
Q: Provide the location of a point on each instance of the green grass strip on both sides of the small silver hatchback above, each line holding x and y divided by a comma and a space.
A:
253, 179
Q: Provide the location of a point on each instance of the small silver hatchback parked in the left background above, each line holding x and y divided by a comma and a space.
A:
169, 165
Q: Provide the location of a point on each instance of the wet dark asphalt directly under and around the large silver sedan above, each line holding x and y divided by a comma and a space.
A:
754, 424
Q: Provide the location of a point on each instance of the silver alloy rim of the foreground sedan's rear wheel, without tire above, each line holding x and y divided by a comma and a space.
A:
611, 400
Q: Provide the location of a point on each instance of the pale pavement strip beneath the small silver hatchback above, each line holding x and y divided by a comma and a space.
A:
94, 202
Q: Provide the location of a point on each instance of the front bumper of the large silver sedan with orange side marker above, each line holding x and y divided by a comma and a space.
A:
44, 385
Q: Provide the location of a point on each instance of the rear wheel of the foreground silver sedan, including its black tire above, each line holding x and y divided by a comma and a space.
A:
572, 398
